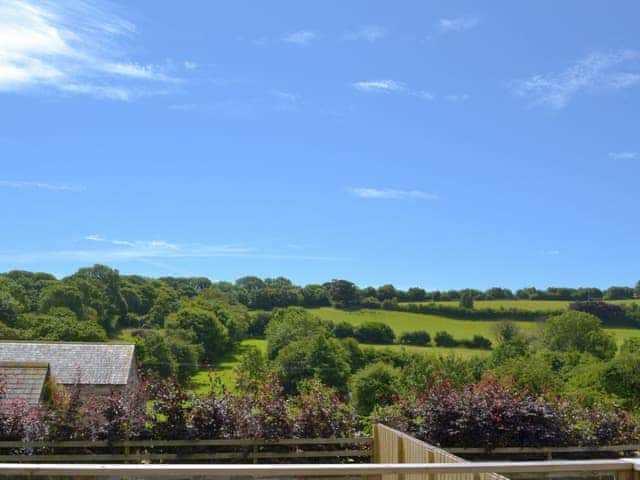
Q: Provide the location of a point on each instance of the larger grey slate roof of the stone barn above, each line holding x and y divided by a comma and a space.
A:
75, 363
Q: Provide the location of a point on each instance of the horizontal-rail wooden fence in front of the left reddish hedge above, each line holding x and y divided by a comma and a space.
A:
190, 451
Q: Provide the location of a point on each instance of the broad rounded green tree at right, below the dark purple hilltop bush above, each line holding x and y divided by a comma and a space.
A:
578, 331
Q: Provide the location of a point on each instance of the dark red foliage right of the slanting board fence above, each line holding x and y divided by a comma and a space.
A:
493, 415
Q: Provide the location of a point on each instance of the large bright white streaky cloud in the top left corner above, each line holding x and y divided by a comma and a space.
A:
74, 48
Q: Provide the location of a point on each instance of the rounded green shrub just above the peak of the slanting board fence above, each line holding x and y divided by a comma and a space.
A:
376, 384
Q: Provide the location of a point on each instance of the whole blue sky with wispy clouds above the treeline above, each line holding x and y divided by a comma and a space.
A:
441, 144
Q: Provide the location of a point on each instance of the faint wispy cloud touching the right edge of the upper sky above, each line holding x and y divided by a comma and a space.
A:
598, 71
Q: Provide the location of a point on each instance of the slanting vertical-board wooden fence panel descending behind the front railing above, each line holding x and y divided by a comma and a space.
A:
392, 446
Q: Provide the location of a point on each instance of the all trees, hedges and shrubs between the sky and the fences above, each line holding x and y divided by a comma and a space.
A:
567, 382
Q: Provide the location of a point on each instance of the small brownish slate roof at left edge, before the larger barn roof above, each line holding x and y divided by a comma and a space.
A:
23, 380
